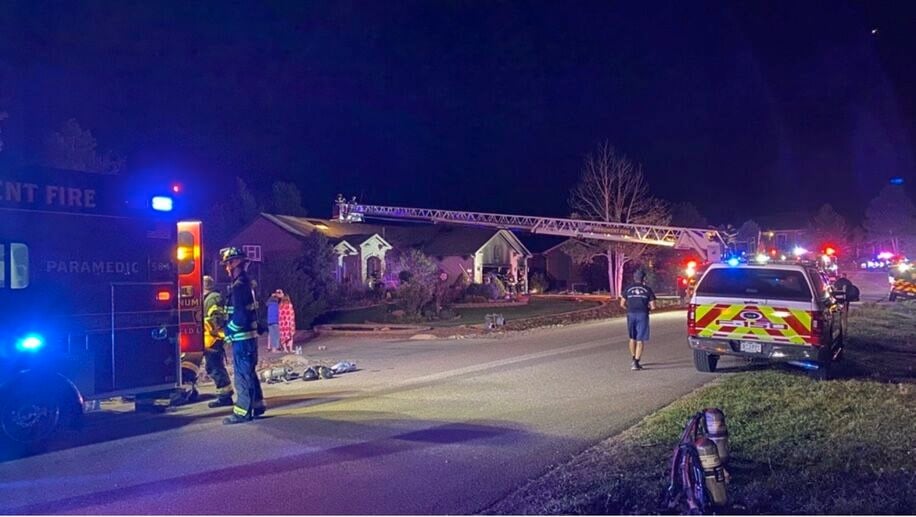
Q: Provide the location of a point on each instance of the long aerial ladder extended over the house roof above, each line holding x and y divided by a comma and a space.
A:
709, 244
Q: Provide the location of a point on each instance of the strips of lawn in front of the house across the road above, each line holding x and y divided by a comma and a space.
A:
468, 316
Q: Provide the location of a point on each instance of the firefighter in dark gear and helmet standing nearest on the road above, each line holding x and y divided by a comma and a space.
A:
242, 332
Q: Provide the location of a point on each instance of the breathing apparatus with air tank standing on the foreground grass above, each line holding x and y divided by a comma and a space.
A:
698, 477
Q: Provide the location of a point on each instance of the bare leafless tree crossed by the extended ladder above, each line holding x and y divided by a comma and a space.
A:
614, 189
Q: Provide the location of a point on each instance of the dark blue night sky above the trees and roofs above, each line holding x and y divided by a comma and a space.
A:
741, 108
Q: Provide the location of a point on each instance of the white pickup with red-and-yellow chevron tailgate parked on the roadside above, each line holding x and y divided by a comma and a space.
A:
776, 312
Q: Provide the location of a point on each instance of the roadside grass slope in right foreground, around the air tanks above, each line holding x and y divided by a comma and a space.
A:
798, 446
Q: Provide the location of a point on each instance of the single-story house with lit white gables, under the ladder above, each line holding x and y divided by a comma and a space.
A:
363, 249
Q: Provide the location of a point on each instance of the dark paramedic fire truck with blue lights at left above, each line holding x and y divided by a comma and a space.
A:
99, 296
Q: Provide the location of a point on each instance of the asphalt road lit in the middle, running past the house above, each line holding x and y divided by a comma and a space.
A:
425, 427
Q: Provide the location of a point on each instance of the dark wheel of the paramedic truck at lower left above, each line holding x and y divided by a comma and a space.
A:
30, 417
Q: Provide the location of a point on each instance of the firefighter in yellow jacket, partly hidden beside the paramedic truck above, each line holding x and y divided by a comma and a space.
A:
215, 345
